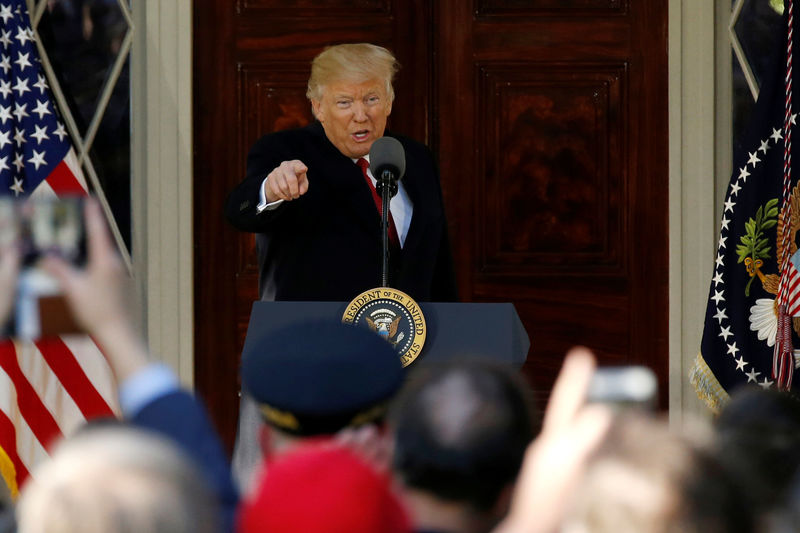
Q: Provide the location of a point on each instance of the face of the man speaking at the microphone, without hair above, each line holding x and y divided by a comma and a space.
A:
353, 114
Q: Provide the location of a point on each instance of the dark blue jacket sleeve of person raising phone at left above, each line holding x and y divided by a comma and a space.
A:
181, 417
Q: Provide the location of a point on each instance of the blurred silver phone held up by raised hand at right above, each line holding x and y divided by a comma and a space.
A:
624, 386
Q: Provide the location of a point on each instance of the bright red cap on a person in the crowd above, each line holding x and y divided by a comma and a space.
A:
322, 488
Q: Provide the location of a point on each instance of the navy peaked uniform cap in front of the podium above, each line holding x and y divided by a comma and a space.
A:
315, 378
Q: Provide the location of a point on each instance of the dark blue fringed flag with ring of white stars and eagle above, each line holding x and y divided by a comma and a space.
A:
750, 329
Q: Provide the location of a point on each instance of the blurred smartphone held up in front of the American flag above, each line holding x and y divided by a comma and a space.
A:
40, 227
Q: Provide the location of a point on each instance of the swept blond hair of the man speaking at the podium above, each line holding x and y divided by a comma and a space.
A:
358, 62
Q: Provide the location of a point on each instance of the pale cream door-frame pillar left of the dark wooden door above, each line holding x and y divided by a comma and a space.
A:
162, 177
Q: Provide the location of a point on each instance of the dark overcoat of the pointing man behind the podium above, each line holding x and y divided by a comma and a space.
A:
326, 245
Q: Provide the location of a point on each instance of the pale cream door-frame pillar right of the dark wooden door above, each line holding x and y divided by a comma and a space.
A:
699, 155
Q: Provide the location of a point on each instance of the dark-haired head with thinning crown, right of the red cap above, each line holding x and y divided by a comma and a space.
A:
460, 430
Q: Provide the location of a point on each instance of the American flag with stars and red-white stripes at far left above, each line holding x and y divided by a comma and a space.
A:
50, 387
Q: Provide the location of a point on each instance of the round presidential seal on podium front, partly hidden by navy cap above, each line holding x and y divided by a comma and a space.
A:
392, 314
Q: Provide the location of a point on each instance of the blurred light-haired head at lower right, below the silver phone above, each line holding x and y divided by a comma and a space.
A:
649, 478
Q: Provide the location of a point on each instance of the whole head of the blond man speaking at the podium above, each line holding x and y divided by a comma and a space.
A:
351, 94
